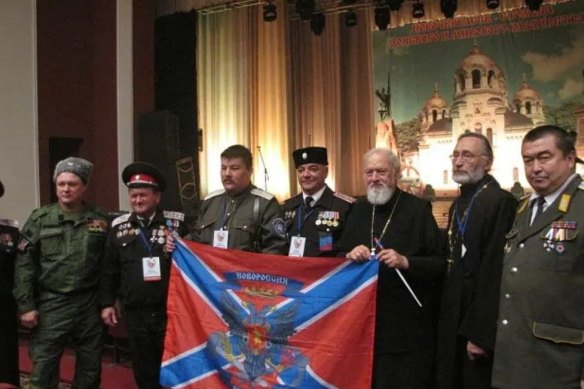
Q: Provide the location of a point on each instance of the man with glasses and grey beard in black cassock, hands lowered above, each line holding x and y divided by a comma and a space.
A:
478, 221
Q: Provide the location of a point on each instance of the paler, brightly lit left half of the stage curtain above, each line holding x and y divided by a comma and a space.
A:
242, 94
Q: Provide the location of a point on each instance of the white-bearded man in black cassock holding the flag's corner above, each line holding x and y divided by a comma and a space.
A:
399, 230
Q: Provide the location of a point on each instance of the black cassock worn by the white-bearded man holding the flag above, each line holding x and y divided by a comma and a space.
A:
404, 332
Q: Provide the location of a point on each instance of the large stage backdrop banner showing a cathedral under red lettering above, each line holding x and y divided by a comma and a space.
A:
496, 73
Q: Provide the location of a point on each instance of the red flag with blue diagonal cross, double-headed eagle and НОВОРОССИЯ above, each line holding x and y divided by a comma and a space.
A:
246, 320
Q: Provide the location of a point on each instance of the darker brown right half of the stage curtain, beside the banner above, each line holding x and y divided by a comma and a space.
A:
333, 98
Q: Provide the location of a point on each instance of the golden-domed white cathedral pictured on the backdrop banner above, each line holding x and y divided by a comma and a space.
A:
480, 104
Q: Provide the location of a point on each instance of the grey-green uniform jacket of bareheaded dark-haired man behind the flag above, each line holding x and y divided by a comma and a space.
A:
253, 219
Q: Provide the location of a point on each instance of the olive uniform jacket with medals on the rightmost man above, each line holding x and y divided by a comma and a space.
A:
540, 328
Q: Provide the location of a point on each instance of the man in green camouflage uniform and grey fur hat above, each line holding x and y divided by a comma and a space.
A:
56, 279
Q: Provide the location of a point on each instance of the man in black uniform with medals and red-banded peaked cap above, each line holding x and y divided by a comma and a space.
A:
138, 268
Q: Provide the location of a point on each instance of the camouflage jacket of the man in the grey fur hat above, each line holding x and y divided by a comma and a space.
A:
59, 255
